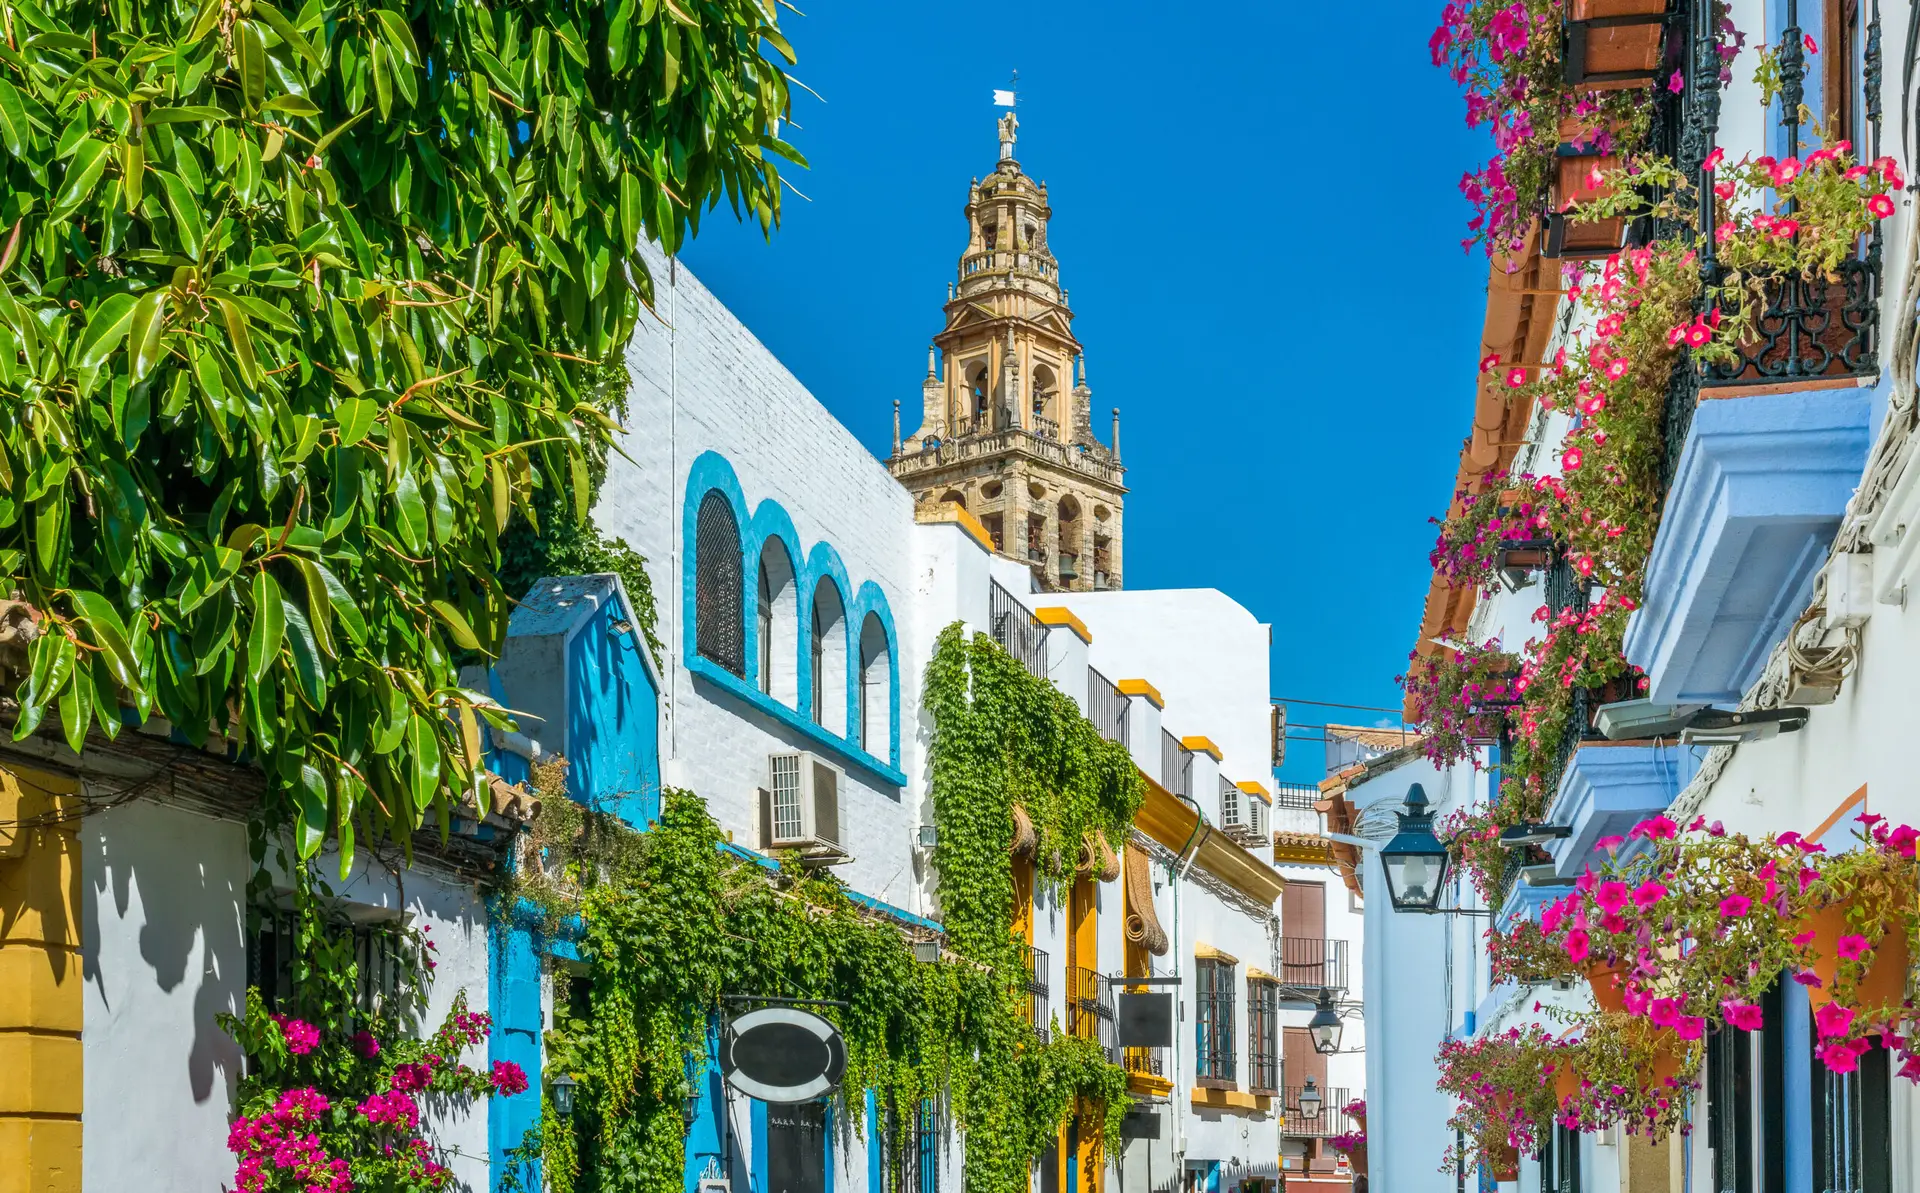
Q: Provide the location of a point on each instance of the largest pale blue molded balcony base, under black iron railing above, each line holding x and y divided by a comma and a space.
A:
1756, 504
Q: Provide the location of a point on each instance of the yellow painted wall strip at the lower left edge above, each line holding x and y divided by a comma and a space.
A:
39, 985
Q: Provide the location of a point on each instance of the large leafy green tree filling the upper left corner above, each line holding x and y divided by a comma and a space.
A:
299, 314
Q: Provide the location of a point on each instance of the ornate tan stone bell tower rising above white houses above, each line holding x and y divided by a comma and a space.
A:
1007, 416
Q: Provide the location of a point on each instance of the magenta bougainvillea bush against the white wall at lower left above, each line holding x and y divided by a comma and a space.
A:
335, 1090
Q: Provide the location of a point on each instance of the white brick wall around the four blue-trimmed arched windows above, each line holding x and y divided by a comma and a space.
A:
704, 383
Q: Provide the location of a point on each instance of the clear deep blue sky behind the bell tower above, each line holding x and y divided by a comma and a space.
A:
1255, 214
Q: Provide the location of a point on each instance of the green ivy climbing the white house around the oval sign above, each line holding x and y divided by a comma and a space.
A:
673, 923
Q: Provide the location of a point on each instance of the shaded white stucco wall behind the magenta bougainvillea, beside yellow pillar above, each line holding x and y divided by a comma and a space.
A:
166, 954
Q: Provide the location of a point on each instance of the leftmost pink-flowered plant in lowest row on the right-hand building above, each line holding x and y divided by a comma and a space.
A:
1504, 1092
